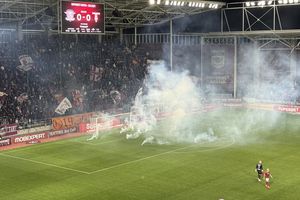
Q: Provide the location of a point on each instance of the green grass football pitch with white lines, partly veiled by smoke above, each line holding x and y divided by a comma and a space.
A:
115, 168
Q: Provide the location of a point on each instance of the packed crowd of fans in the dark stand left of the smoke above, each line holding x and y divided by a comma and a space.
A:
93, 76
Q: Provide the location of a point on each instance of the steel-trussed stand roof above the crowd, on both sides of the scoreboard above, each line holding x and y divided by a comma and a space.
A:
119, 13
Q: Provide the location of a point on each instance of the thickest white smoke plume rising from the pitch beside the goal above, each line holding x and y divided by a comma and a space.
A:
174, 95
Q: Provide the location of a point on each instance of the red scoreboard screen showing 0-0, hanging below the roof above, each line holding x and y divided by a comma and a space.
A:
82, 17
